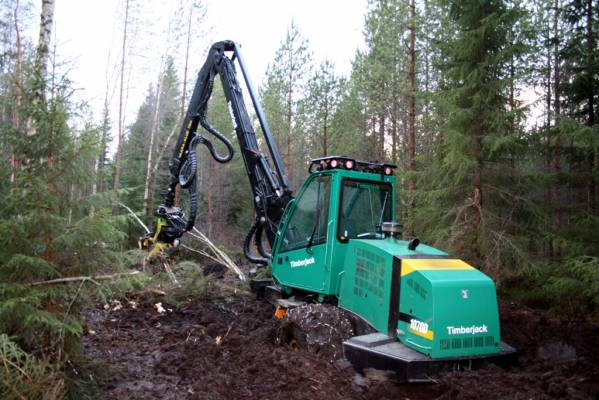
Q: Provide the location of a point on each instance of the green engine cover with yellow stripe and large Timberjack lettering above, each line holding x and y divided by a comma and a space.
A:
433, 303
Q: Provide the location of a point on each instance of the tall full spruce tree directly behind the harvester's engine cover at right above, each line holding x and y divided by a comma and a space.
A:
471, 192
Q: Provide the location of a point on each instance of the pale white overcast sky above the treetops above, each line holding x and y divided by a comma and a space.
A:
88, 37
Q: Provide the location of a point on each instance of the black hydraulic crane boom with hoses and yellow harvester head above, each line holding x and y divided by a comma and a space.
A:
270, 187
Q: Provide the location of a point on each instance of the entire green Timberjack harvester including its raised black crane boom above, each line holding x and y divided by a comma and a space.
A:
337, 242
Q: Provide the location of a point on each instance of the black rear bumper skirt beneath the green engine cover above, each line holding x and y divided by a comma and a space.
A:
379, 351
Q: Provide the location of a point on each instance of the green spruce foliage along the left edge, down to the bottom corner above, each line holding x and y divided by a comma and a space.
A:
52, 226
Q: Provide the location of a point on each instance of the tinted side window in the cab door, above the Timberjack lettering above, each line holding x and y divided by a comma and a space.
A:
308, 224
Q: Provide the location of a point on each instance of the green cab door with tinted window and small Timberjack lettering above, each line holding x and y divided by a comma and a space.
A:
300, 254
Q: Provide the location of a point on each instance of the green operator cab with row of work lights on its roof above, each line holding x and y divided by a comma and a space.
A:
343, 199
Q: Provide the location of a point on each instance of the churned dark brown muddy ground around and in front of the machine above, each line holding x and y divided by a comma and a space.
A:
228, 348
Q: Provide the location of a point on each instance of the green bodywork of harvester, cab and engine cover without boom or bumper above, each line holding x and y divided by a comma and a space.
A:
430, 302
